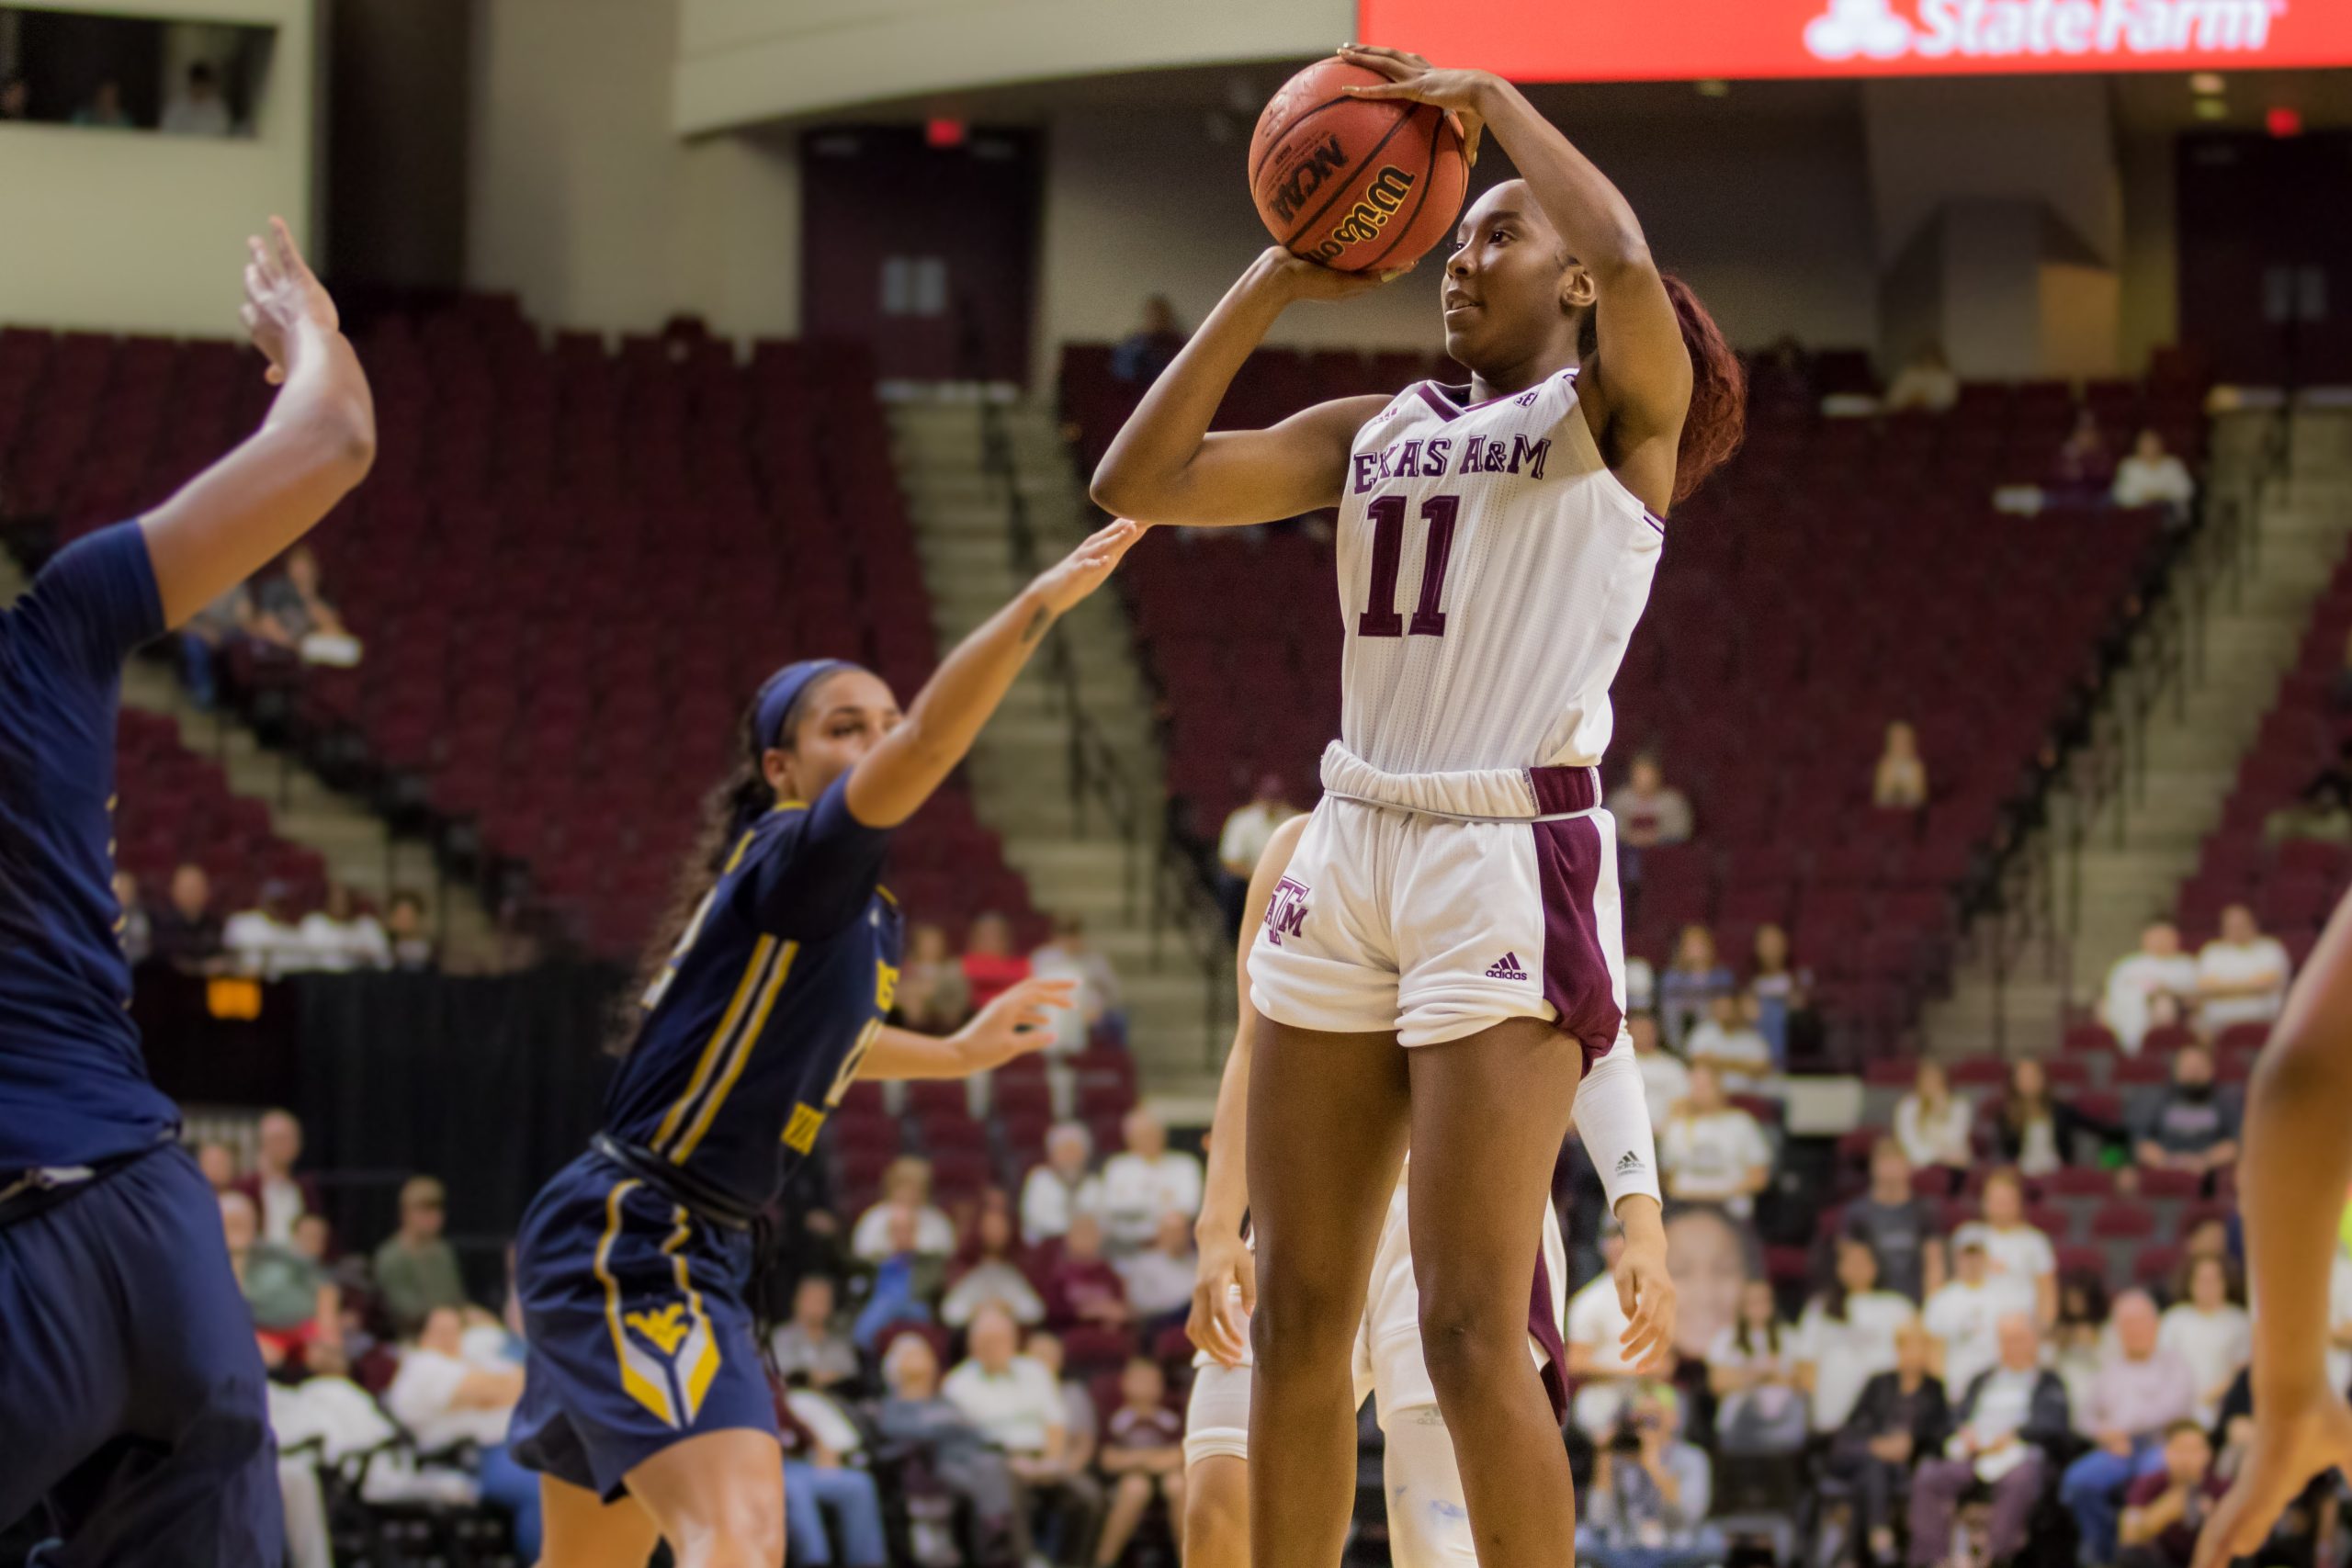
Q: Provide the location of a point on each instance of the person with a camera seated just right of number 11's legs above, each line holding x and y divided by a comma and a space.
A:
1652, 1492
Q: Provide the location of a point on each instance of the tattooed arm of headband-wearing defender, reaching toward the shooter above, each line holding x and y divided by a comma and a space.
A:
893, 782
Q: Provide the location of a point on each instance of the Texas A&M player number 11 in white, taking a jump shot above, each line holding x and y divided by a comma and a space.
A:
1455, 894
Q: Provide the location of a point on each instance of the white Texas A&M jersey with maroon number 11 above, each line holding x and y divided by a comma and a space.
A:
1490, 575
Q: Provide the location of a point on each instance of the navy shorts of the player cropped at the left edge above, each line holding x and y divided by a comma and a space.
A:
131, 1386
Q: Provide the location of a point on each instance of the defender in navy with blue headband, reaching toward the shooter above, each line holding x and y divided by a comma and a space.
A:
646, 1405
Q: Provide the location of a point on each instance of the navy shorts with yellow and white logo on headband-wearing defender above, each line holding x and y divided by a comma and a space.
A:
639, 1329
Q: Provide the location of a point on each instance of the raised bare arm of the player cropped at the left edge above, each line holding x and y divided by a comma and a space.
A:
314, 448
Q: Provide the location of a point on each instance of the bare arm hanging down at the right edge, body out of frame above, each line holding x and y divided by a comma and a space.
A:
2297, 1167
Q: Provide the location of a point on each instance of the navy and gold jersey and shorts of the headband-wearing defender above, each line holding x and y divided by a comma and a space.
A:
636, 1259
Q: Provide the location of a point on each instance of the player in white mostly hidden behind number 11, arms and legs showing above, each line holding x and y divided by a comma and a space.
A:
1426, 1515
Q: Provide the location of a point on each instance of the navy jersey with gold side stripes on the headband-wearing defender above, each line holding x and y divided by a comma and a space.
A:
761, 1019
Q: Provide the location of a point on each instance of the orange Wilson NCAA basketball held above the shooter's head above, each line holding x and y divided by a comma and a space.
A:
1354, 185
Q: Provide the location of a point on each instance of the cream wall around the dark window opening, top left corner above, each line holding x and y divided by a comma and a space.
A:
116, 232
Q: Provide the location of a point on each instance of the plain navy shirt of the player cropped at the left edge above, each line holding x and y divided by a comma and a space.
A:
74, 1087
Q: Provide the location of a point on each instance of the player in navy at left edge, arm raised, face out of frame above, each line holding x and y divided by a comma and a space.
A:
131, 1383
